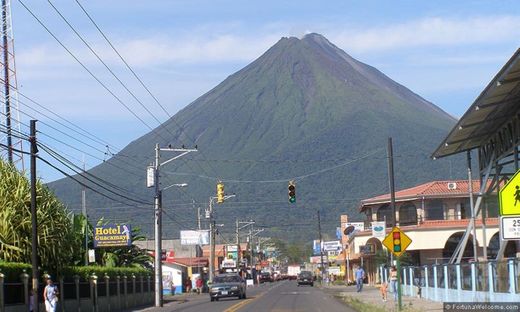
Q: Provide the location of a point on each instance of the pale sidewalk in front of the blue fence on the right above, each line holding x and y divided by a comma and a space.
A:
371, 295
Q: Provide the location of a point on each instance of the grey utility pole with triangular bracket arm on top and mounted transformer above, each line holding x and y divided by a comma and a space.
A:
158, 216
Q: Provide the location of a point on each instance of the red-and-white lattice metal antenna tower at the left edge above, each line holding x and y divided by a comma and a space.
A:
10, 119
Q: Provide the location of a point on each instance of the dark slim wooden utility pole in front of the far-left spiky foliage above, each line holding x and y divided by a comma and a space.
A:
34, 221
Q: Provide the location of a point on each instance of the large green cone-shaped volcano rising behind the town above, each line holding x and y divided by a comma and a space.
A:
301, 107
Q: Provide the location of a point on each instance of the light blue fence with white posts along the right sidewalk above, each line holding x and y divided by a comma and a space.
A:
479, 281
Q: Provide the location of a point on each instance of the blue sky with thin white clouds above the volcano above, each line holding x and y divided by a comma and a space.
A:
446, 51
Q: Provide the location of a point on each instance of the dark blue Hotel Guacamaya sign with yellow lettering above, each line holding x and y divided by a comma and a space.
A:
112, 235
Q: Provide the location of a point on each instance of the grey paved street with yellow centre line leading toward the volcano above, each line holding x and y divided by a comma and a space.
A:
276, 297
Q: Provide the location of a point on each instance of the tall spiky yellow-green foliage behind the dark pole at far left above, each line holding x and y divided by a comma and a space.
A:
55, 237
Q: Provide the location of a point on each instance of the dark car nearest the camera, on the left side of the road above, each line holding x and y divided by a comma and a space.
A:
227, 285
